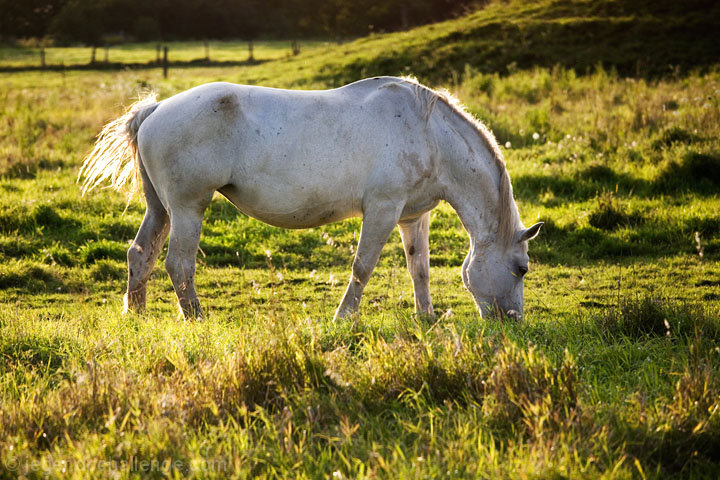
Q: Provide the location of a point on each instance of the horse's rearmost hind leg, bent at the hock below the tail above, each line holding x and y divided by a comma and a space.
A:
146, 247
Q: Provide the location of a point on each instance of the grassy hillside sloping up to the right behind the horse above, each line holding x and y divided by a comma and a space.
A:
638, 38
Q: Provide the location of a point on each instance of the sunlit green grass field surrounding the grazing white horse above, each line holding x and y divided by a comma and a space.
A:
614, 372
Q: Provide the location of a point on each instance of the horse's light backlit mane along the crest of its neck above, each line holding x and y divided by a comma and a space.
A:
508, 215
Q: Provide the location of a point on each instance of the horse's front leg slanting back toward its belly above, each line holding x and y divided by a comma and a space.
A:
378, 223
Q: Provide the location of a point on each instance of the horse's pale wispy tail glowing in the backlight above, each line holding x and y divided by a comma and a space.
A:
115, 157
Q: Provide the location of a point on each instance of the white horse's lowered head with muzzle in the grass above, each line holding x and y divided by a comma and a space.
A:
494, 275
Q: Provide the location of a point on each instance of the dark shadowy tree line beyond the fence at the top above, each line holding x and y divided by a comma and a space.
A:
94, 21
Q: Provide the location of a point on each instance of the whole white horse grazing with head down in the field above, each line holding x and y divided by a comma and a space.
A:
387, 149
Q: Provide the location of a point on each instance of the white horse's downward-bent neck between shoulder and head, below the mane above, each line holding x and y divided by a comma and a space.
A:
474, 178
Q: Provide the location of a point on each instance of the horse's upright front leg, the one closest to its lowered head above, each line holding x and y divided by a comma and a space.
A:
417, 253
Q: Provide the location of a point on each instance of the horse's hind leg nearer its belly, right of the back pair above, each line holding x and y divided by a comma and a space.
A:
185, 227
